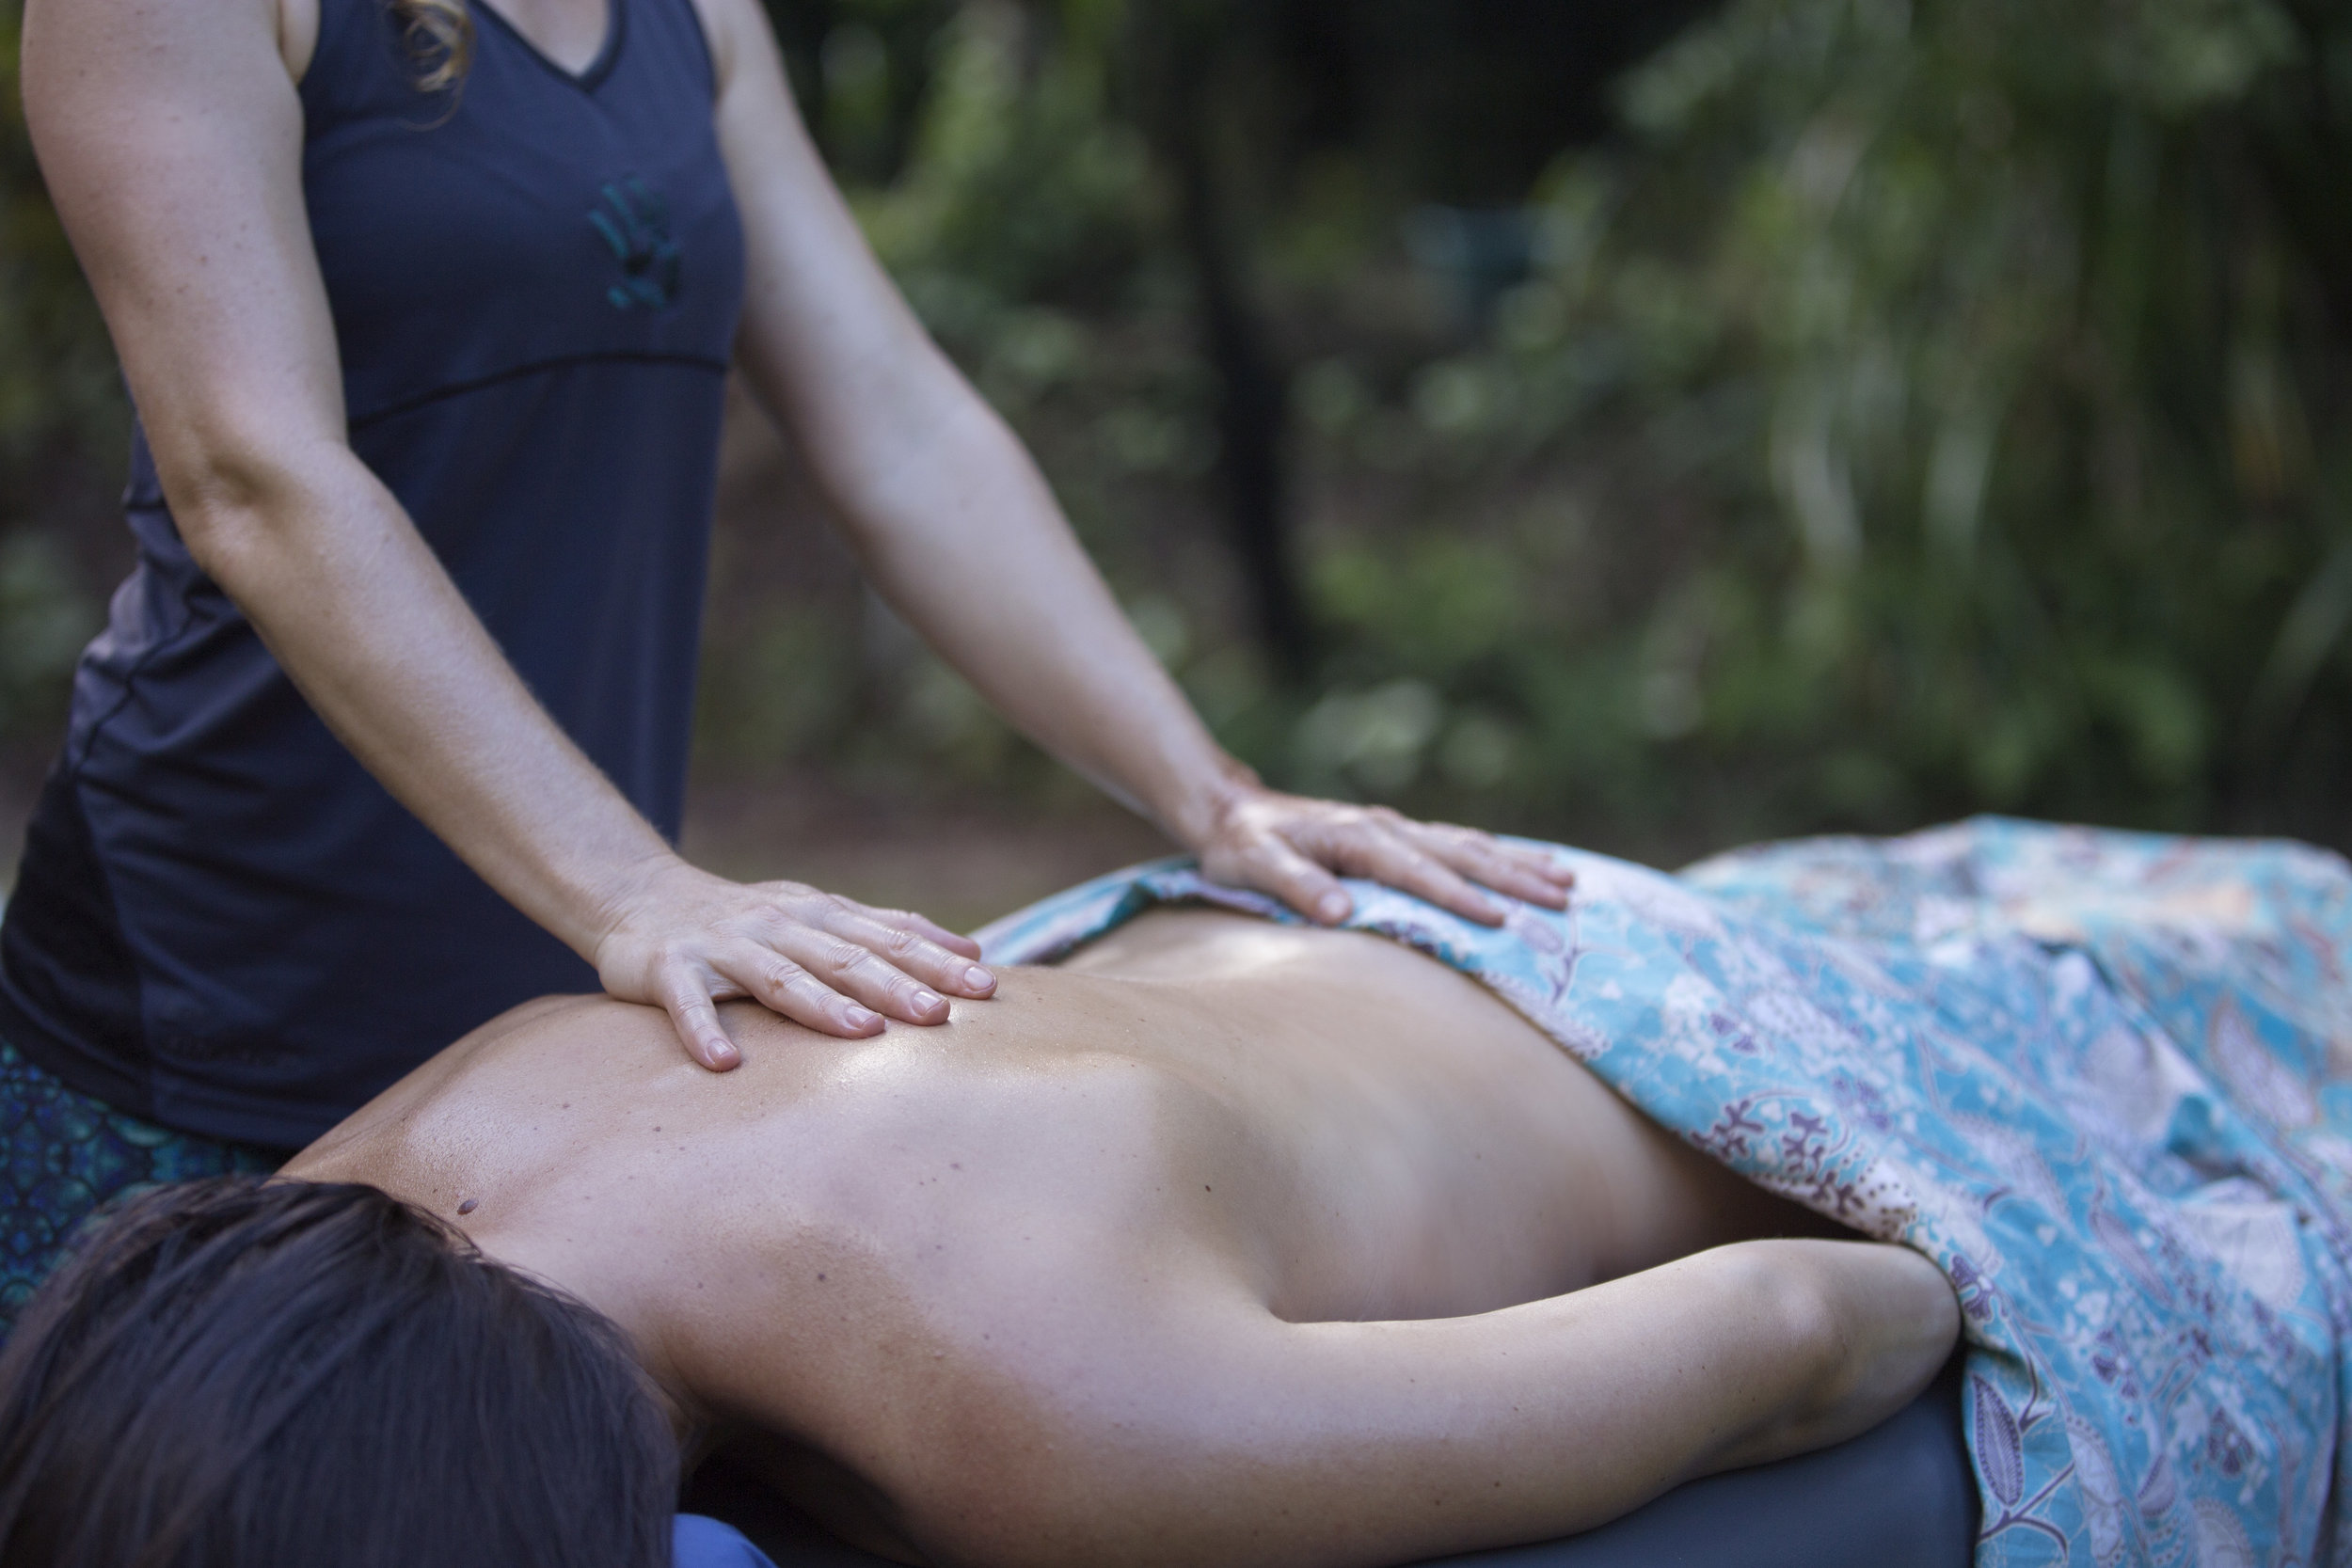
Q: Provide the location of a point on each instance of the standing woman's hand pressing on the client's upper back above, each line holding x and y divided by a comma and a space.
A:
686, 942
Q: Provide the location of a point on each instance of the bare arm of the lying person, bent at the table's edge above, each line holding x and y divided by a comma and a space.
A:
1368, 1445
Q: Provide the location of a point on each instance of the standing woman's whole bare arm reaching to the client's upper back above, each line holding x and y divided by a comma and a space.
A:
171, 138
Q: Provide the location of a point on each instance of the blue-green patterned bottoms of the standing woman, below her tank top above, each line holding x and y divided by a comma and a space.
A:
65, 1158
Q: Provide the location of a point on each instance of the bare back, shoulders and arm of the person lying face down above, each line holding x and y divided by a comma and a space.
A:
1220, 1245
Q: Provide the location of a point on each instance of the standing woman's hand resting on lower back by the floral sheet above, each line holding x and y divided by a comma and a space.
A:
1297, 850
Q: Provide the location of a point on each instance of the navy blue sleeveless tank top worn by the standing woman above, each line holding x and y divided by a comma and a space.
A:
222, 923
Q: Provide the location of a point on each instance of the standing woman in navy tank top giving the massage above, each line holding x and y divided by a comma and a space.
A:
427, 311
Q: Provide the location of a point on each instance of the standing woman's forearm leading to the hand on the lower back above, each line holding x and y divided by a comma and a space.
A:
973, 549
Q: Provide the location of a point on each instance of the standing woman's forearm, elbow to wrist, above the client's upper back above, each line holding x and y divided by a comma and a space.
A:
368, 624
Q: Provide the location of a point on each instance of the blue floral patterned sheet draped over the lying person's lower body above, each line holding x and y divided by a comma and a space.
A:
2104, 1080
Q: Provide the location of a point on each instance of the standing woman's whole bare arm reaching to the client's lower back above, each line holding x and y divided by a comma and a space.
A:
961, 535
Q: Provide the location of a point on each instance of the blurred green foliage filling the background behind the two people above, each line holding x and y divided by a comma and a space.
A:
1892, 408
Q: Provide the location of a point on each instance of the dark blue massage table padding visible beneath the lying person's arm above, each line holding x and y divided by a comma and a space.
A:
1899, 1496
